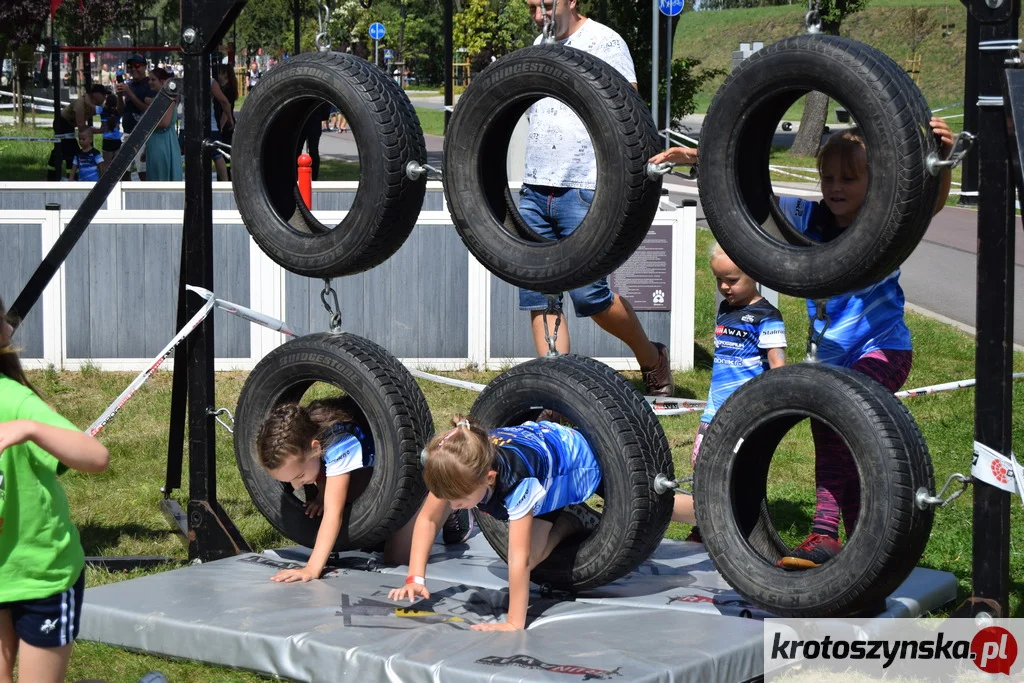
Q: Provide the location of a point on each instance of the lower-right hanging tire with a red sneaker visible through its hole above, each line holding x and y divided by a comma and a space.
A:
731, 488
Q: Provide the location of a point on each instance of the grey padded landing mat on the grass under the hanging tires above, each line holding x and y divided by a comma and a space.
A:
665, 622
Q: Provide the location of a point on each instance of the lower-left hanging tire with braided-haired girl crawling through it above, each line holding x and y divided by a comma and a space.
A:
394, 408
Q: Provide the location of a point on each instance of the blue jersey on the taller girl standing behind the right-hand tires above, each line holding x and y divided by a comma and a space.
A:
863, 321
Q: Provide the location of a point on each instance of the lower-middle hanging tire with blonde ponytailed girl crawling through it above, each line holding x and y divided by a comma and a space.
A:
630, 446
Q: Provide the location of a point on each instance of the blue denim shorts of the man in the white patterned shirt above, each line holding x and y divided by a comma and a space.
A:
554, 214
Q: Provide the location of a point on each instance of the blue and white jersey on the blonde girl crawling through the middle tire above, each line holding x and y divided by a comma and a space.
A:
542, 467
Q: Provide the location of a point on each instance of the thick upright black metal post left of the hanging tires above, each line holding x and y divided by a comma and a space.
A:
211, 534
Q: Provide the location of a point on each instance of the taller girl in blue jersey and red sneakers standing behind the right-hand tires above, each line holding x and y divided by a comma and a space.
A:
866, 332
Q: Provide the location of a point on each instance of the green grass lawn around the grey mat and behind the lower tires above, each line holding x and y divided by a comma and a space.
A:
117, 513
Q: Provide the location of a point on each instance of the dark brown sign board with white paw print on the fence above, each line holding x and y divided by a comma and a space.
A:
647, 278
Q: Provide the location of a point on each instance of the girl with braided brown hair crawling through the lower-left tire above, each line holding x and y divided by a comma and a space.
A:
322, 445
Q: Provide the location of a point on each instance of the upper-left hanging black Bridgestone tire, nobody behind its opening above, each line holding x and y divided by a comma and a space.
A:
265, 166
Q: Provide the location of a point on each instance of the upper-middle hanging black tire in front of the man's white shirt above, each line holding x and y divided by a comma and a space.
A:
477, 182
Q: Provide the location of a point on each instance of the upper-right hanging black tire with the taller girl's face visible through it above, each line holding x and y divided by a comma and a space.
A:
737, 190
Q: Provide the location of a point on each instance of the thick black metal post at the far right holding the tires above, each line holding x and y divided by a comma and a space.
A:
994, 359
